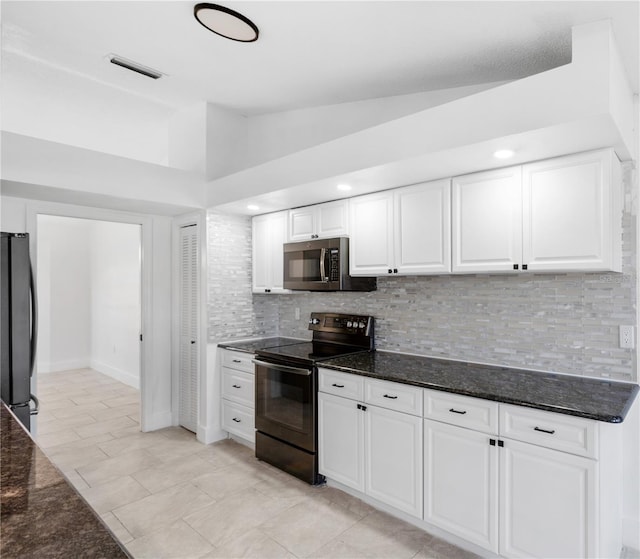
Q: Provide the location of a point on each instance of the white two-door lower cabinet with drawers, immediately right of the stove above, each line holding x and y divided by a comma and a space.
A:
369, 448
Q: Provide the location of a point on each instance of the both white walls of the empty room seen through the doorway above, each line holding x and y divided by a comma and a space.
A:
89, 283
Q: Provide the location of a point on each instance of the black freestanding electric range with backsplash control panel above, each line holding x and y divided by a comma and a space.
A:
286, 390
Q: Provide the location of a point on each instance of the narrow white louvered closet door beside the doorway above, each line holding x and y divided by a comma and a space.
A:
189, 320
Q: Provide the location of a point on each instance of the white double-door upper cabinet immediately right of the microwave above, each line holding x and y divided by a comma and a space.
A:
402, 231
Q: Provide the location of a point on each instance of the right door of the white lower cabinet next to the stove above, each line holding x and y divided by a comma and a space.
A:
393, 462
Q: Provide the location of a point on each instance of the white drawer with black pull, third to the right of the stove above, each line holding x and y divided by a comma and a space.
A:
465, 411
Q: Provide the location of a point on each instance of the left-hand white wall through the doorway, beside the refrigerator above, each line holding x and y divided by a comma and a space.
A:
64, 293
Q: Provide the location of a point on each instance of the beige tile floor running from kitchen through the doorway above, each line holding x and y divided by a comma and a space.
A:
164, 494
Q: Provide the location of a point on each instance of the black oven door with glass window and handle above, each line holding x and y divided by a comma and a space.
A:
286, 403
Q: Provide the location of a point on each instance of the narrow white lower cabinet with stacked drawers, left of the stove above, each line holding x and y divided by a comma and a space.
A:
238, 394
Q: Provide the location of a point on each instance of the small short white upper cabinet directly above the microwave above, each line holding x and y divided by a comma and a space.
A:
319, 221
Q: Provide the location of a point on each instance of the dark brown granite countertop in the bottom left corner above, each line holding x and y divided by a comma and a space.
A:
42, 514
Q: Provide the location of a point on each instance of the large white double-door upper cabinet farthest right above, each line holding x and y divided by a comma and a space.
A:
557, 215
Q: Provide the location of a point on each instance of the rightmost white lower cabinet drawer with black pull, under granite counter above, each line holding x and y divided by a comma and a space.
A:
551, 430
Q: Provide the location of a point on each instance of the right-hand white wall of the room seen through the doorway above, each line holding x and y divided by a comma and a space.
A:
115, 300
